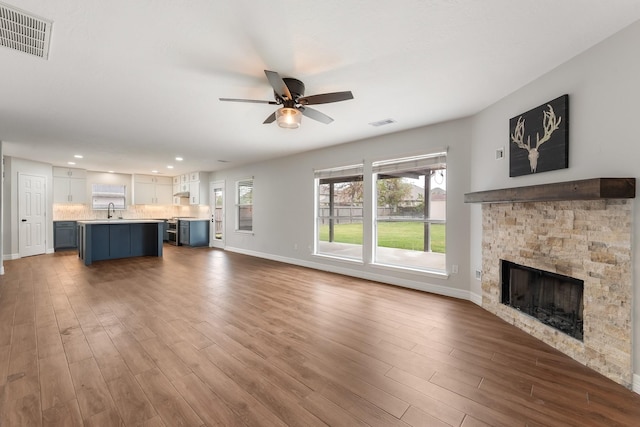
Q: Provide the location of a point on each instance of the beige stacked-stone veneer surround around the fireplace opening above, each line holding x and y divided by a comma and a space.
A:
588, 240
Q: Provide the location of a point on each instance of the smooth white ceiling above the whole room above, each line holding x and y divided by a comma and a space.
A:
130, 85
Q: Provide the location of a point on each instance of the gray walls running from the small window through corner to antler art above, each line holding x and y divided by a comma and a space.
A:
604, 91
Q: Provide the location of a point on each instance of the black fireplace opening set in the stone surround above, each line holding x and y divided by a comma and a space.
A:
553, 299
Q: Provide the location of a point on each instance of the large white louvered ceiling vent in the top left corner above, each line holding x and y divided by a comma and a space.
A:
24, 32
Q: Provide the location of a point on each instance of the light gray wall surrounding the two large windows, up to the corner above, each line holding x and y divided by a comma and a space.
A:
284, 204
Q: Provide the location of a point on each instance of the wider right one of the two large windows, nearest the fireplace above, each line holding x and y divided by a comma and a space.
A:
410, 212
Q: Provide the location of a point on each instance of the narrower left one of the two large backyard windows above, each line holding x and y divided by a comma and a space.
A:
339, 198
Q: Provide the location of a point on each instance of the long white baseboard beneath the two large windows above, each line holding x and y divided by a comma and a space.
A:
406, 283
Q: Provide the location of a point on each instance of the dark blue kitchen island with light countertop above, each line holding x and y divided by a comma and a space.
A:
119, 238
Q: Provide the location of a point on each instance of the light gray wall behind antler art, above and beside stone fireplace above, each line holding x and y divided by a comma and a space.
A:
604, 91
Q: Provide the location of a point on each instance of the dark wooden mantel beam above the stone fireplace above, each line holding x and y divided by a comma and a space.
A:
586, 189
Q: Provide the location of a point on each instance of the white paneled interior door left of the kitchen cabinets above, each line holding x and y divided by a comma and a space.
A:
31, 211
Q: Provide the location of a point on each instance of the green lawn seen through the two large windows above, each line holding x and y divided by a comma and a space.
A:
399, 235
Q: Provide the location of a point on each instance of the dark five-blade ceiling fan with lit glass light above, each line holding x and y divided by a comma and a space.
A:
289, 93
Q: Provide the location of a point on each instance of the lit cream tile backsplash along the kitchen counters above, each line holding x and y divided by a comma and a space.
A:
71, 212
